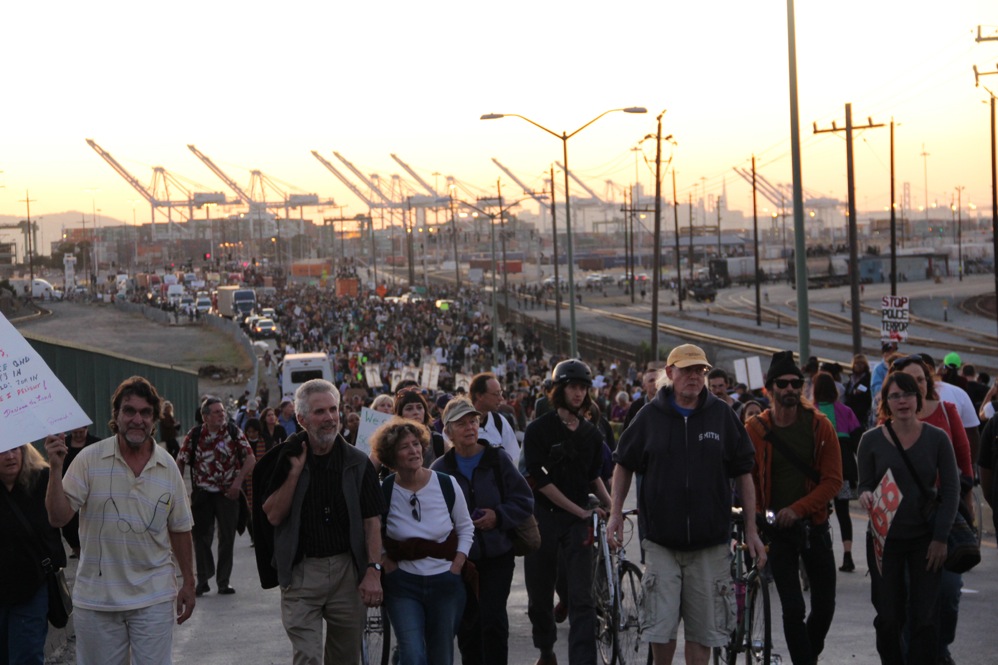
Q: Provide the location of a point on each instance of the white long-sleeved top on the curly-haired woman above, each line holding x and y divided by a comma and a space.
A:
434, 522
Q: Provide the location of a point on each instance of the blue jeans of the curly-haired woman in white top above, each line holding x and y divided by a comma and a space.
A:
425, 611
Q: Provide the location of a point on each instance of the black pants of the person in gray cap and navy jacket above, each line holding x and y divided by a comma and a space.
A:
484, 634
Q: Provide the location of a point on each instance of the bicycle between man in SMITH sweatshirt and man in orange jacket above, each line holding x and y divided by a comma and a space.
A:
752, 634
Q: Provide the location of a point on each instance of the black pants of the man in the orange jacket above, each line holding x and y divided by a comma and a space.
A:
805, 638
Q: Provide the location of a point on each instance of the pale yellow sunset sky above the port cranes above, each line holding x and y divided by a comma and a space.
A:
256, 85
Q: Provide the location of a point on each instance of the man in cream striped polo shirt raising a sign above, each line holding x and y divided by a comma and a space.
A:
134, 514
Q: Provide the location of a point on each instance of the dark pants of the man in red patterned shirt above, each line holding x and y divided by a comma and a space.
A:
207, 508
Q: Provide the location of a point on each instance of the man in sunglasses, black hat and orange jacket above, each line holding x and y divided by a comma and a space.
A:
798, 471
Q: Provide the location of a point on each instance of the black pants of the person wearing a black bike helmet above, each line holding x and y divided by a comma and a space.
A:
568, 535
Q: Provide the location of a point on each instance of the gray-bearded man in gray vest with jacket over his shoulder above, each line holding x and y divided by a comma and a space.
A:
325, 504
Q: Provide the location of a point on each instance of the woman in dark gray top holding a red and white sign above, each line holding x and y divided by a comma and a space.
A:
906, 541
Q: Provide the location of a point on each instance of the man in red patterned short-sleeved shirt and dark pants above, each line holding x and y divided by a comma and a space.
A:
220, 459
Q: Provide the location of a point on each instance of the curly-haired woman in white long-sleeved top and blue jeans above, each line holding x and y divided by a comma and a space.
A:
427, 537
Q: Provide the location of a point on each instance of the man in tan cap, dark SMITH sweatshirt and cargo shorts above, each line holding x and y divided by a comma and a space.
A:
688, 445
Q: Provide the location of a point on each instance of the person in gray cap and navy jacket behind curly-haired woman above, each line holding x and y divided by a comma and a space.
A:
500, 500
